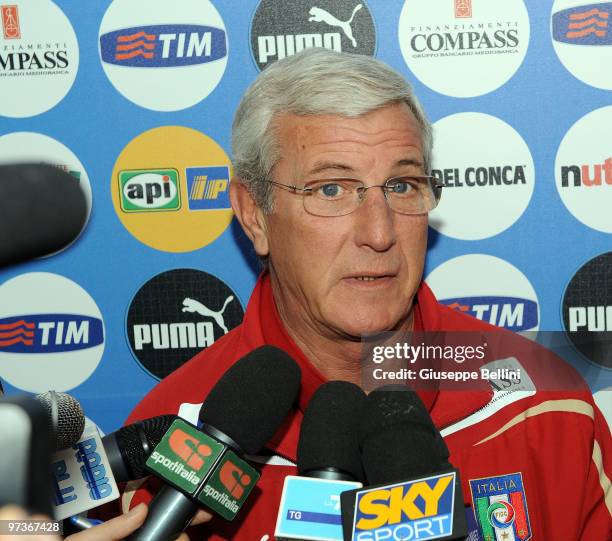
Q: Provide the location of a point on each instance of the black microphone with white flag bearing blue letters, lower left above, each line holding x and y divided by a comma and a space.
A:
88, 478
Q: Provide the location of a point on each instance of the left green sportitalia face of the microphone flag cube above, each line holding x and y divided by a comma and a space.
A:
184, 456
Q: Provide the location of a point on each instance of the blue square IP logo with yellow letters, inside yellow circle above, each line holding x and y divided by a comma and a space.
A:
208, 187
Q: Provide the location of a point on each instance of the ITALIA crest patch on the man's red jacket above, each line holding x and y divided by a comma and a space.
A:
500, 507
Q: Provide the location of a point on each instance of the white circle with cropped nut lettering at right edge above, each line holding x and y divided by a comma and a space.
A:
583, 169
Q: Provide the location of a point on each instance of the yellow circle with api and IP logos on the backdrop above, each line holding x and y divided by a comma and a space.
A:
192, 167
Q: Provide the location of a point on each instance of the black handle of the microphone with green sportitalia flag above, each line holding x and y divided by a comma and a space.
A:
170, 512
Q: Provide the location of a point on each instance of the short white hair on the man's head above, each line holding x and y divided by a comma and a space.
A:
313, 82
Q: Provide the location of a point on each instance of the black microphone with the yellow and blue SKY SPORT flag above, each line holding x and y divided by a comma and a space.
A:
413, 492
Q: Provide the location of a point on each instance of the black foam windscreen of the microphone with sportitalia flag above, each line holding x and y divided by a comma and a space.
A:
253, 397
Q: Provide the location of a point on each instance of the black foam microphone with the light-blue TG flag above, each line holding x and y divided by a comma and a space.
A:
328, 463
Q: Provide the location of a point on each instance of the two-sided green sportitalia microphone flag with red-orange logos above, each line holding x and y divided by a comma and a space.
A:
203, 468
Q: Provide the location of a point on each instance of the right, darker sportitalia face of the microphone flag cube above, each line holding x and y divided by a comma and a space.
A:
228, 486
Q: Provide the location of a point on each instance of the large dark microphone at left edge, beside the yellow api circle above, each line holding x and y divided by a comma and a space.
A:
42, 210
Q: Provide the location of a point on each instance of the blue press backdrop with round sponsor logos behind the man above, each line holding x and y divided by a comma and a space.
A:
135, 99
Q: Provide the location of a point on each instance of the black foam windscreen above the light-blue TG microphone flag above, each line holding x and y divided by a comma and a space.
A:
329, 433
